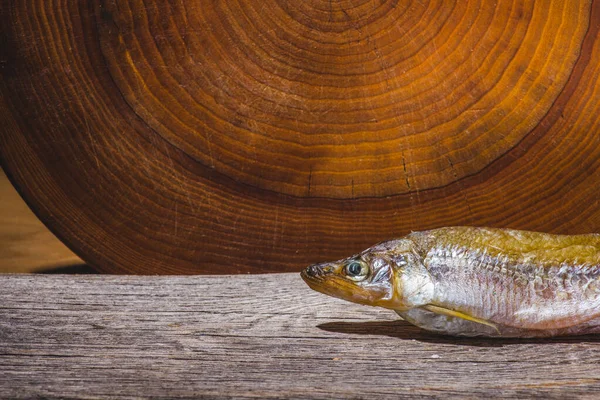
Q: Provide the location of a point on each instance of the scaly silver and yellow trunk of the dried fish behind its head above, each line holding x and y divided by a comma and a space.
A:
526, 293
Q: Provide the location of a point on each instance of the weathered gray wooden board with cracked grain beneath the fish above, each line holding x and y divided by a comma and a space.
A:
254, 336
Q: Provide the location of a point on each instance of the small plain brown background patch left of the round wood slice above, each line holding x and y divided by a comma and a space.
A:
26, 245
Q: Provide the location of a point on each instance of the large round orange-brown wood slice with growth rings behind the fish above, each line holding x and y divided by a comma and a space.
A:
255, 136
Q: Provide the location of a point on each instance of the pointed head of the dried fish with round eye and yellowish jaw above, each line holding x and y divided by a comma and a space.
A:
375, 277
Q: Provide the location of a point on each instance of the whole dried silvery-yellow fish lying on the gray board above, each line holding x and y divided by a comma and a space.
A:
469, 281
